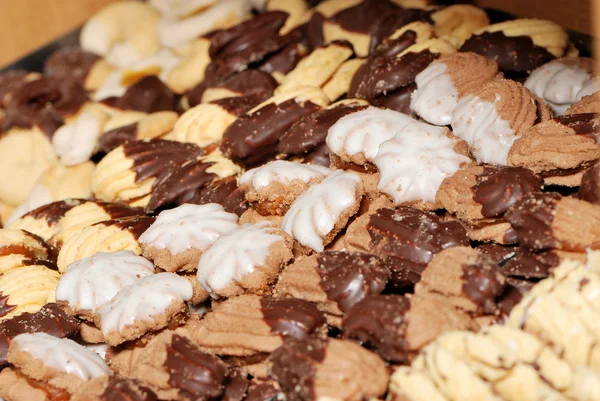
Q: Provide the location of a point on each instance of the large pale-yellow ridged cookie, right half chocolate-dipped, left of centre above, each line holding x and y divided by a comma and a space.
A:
129, 172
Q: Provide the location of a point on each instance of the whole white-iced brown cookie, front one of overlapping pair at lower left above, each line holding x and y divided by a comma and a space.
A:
149, 304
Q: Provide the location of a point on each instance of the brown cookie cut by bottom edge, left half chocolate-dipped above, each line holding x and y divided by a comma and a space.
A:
308, 367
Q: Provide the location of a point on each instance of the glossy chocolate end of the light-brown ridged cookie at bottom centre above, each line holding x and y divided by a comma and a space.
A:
292, 318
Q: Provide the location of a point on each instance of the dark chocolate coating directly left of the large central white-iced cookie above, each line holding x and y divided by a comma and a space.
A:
310, 131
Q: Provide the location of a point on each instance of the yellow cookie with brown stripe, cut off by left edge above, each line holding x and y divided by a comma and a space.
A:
18, 245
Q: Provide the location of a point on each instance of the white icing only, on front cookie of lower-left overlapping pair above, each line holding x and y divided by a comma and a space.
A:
143, 301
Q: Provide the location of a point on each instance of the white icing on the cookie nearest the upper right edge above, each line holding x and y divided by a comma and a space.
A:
557, 84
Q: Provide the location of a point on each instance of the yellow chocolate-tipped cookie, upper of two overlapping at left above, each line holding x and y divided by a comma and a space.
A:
86, 214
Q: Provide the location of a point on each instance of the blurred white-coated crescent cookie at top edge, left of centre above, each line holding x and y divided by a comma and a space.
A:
175, 32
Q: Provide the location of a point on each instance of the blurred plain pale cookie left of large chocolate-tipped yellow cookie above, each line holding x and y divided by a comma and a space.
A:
57, 183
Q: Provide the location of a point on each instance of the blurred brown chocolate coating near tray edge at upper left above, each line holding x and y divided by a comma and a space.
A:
70, 64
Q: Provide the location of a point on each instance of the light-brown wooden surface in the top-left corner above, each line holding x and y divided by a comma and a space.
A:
28, 24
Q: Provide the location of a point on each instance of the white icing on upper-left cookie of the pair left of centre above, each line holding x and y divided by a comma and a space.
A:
189, 227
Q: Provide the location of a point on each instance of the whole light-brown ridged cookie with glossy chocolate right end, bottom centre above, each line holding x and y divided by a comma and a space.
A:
249, 325
